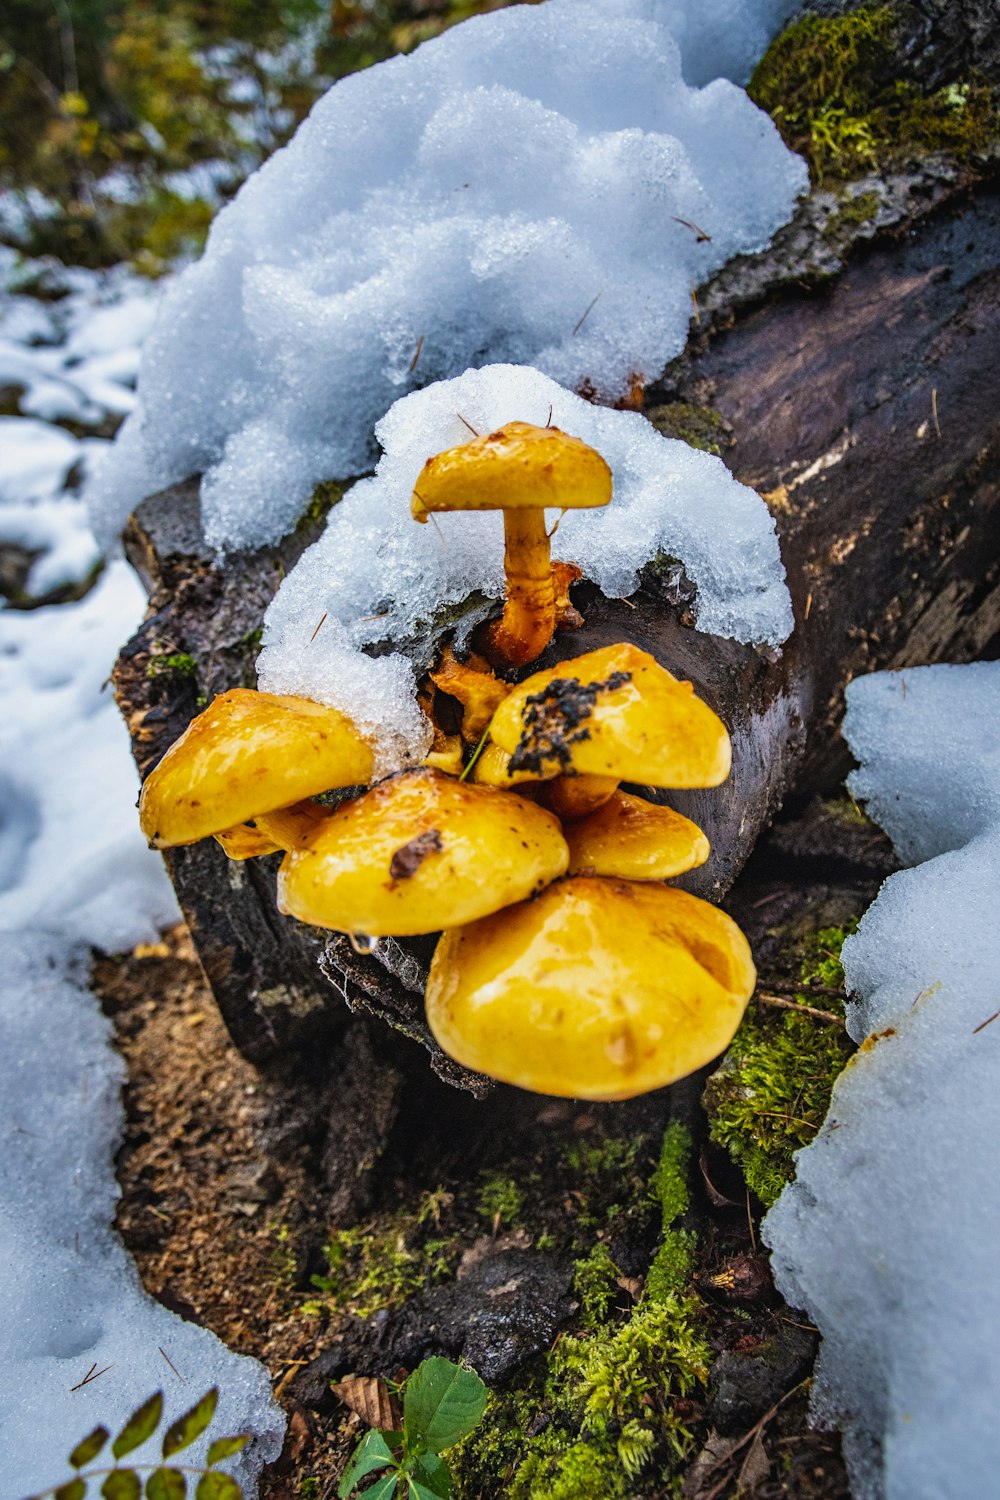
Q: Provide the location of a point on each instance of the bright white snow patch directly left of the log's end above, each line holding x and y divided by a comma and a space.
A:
71, 851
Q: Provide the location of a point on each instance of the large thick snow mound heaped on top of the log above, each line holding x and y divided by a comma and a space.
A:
536, 187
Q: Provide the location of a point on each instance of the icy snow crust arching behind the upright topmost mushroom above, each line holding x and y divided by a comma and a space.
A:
376, 574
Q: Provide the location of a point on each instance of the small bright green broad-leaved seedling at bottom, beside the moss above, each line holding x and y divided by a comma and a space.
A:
442, 1405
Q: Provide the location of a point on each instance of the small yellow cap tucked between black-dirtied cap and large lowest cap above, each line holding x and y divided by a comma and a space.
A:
635, 841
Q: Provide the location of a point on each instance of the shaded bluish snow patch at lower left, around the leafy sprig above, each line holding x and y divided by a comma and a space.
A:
71, 1300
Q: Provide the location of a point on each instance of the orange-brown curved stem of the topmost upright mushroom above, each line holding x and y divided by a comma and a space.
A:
530, 610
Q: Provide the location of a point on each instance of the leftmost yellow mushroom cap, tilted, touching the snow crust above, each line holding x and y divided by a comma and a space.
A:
250, 754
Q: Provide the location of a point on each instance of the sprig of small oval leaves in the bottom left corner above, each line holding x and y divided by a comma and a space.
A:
163, 1483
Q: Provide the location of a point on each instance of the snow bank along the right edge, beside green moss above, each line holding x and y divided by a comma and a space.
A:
888, 1235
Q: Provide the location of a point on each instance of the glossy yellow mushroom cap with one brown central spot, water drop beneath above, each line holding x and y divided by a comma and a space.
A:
421, 853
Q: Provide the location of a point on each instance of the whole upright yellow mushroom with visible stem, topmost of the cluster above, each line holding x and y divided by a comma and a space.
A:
519, 470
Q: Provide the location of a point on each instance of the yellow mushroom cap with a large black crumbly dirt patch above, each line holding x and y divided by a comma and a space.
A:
614, 713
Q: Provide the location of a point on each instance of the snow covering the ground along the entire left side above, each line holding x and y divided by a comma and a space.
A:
76, 872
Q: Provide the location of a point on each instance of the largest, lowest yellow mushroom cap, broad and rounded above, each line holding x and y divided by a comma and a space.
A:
597, 991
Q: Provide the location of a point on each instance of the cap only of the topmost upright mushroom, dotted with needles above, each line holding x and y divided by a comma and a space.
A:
518, 467
